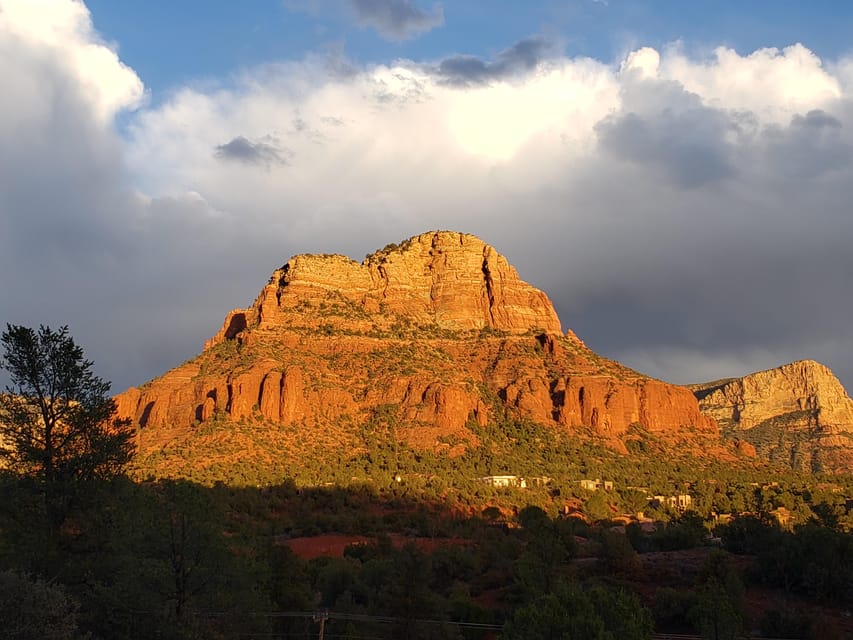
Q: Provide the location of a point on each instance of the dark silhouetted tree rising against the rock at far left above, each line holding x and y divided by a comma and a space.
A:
57, 423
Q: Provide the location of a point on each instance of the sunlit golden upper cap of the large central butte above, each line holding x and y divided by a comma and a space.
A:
446, 280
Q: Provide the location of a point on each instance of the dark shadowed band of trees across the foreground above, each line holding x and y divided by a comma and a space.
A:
171, 559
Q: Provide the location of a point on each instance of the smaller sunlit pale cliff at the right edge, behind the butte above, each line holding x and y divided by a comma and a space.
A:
798, 413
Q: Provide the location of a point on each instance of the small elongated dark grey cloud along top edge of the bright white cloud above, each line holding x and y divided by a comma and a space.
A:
466, 70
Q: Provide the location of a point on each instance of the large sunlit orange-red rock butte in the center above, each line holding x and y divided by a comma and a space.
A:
437, 336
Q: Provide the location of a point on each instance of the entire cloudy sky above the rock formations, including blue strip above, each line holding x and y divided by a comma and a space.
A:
676, 176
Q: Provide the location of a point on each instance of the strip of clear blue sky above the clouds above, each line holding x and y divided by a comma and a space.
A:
173, 43
